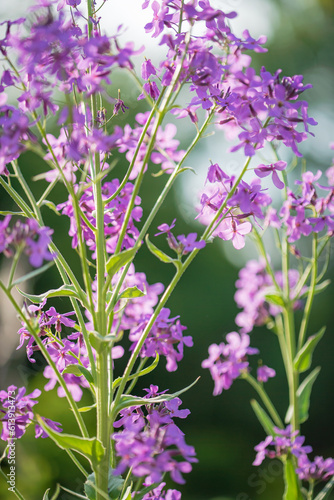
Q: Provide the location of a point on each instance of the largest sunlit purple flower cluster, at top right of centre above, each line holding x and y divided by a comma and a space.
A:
256, 108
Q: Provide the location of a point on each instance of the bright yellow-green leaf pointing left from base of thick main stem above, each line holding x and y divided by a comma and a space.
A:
90, 448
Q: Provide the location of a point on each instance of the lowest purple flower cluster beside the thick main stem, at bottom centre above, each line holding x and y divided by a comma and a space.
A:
151, 443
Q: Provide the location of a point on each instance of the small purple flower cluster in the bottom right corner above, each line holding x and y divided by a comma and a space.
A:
286, 442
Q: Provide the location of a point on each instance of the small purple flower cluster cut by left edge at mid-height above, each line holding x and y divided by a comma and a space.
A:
28, 237
